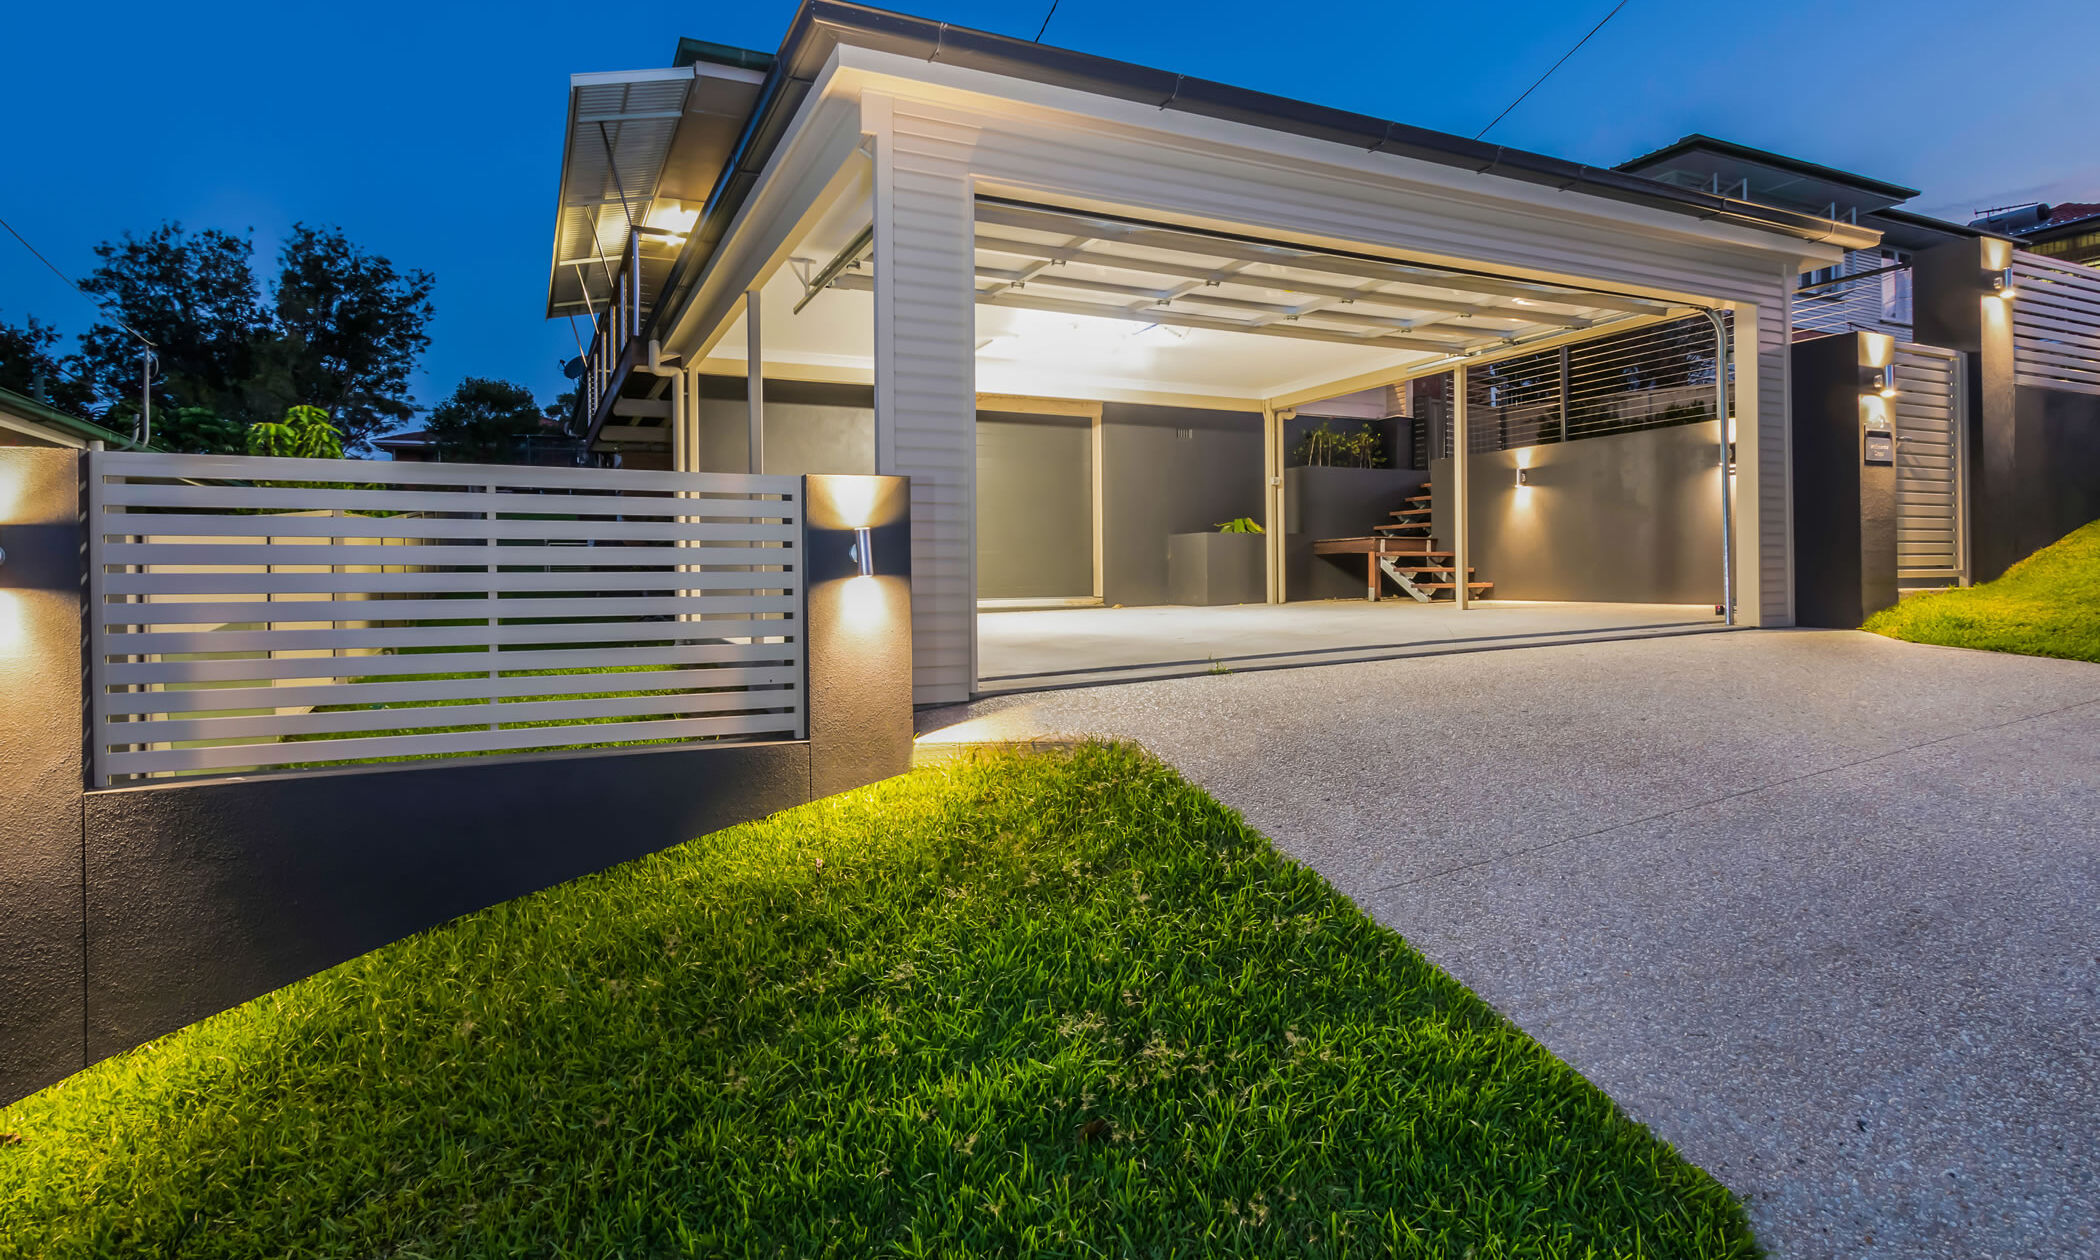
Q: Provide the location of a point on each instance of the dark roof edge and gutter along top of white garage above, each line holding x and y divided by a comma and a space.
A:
822, 26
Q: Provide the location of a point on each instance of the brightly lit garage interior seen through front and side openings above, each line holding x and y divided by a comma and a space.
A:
1141, 385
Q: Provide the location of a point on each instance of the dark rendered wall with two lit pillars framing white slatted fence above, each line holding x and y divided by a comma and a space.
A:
138, 910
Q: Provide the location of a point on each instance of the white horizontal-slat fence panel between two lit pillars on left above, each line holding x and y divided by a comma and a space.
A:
287, 614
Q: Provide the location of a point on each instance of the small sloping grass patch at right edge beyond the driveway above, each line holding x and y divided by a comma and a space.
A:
2044, 606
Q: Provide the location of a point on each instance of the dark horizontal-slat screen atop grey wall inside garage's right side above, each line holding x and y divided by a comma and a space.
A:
1650, 377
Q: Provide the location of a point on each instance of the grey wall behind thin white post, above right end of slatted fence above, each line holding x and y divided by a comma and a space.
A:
810, 427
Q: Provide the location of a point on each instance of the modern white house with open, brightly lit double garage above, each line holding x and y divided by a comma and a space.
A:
1095, 310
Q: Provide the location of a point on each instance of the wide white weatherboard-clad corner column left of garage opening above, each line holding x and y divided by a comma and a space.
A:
927, 381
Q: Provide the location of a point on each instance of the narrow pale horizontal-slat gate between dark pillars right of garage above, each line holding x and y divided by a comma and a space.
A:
1929, 463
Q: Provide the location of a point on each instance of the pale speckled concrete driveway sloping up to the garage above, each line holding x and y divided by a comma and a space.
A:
1820, 908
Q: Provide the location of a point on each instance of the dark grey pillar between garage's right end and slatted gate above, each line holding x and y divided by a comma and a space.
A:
1845, 490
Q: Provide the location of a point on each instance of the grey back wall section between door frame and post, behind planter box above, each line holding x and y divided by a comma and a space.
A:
1171, 471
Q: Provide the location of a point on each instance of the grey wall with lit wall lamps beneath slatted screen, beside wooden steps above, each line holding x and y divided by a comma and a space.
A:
1633, 518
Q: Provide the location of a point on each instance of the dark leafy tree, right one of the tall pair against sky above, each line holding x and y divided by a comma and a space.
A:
350, 331
